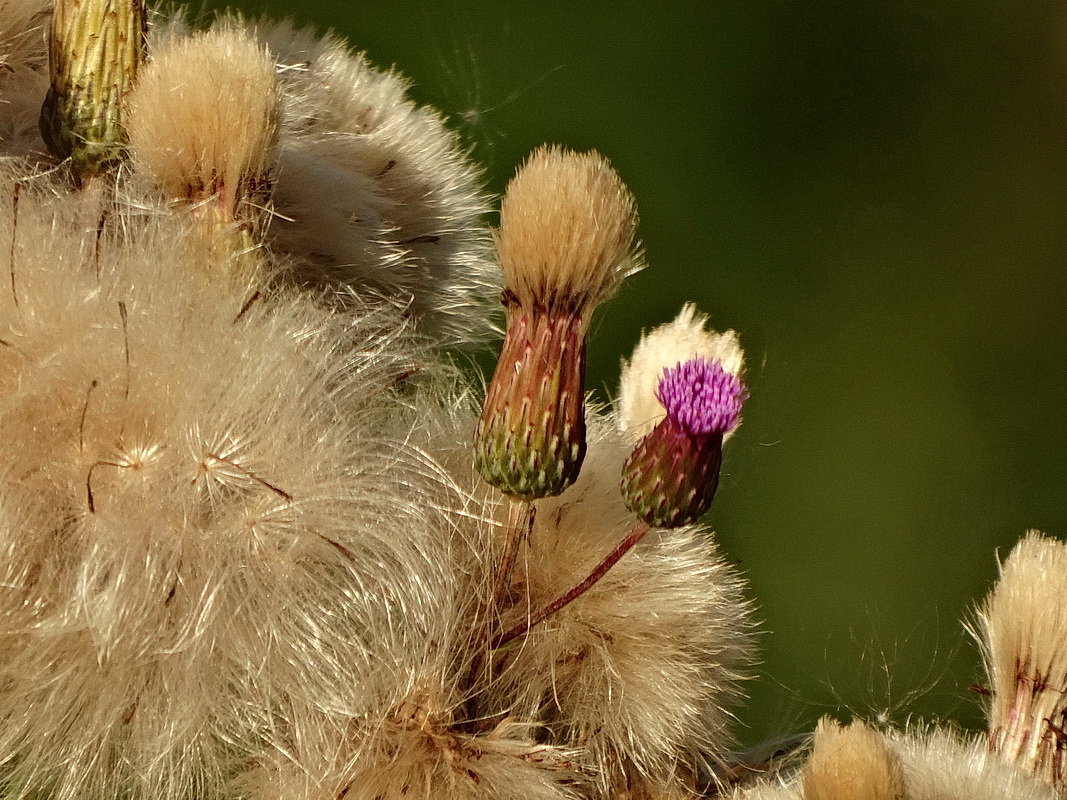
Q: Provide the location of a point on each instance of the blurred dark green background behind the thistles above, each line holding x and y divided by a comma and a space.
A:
873, 195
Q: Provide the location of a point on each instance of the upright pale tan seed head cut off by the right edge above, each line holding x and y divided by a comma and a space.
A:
1023, 628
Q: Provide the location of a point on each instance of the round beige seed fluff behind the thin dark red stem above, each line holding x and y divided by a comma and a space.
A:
666, 629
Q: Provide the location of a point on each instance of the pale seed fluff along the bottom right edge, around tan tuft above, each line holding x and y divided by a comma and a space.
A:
936, 765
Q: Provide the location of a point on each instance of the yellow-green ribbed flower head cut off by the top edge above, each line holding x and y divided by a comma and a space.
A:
95, 47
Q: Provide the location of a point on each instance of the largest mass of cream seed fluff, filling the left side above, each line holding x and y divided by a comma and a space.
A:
216, 532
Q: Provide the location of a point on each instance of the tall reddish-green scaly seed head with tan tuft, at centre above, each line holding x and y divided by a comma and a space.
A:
566, 241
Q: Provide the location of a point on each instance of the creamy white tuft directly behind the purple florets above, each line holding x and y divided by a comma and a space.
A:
665, 347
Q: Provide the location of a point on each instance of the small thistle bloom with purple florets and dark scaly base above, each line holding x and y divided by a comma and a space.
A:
671, 478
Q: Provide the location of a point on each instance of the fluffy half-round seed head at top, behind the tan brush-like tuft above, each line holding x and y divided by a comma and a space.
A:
374, 193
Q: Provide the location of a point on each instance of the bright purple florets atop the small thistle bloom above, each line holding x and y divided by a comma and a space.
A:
702, 397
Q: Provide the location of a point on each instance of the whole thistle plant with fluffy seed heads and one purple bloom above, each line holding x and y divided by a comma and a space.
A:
261, 540
